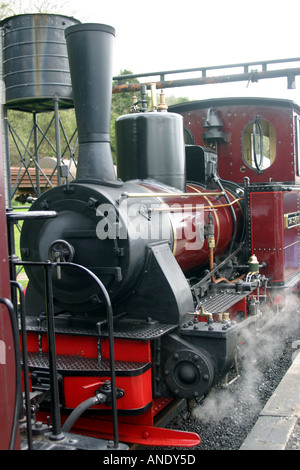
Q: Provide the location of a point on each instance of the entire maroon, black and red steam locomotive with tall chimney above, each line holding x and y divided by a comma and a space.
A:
142, 283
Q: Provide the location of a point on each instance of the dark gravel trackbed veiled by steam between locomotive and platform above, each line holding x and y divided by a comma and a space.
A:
226, 416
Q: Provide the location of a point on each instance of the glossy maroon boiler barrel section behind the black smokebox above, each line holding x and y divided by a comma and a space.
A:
188, 215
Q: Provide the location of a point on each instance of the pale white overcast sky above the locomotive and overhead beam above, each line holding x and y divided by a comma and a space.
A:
166, 35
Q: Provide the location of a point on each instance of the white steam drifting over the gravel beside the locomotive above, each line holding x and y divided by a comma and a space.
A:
257, 352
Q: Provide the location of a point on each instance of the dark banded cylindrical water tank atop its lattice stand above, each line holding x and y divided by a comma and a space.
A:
35, 61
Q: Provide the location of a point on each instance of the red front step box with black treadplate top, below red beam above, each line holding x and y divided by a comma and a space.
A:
79, 378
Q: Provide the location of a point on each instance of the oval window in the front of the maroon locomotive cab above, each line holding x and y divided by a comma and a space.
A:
259, 144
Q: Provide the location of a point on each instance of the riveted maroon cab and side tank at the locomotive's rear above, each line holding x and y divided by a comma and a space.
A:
260, 153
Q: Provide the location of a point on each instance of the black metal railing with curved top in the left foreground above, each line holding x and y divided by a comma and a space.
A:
47, 266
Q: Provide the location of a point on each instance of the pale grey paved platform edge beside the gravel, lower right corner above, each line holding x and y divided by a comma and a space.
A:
280, 416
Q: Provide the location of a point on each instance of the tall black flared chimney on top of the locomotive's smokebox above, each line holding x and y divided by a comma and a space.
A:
90, 60
